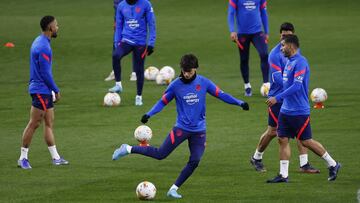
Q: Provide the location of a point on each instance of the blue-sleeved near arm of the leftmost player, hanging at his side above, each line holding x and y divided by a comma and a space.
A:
45, 58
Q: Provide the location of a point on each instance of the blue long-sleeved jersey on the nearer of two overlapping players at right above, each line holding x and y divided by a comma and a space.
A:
295, 86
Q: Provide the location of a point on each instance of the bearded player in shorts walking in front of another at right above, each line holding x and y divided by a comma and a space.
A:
294, 117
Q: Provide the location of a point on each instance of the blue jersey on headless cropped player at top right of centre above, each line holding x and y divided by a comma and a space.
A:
250, 16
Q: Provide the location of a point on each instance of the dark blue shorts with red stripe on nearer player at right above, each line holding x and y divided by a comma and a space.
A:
294, 126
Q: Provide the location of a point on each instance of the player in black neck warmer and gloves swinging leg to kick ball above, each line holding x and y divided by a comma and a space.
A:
189, 92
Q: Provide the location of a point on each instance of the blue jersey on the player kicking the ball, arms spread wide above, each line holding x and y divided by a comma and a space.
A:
191, 102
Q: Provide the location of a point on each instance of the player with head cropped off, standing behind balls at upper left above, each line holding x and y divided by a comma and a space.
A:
134, 19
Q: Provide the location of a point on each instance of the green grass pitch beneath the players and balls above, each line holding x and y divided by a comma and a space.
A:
87, 133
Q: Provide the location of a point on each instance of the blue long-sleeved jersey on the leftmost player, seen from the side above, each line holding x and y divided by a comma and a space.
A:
41, 78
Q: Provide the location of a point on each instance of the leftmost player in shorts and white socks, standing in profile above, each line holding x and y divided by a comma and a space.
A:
40, 86
